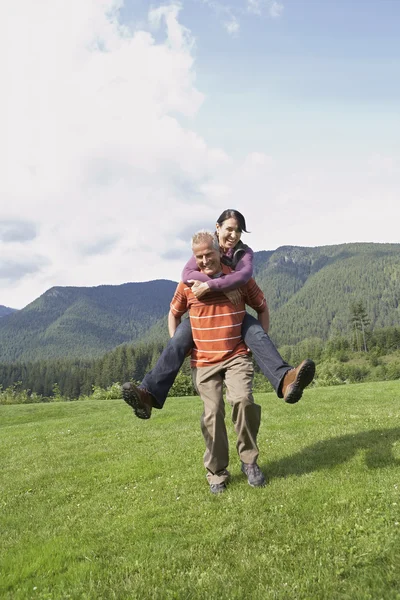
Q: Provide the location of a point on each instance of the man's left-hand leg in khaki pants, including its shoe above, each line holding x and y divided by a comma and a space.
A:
208, 382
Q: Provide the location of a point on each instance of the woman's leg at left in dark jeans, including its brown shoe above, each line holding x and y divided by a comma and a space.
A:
156, 384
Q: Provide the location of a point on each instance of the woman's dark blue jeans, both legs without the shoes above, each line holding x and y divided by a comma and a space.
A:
159, 380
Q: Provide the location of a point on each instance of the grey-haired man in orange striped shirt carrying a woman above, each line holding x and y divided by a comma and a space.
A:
220, 355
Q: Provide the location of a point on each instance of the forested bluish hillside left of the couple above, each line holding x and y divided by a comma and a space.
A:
83, 322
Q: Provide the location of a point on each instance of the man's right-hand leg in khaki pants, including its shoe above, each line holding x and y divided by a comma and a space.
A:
246, 415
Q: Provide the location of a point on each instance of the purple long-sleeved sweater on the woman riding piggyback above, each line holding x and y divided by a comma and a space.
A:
240, 276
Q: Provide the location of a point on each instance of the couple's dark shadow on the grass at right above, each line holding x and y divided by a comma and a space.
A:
377, 444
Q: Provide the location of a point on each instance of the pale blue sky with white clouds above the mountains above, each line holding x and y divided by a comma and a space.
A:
126, 126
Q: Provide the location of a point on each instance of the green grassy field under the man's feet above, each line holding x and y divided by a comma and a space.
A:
96, 504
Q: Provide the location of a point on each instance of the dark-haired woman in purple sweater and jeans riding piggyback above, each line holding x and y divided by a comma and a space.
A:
287, 382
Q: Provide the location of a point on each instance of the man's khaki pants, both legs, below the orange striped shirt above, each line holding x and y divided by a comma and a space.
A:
237, 372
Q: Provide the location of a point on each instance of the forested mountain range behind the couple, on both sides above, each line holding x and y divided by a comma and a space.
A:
309, 292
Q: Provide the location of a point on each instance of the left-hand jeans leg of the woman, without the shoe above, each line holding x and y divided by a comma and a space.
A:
159, 380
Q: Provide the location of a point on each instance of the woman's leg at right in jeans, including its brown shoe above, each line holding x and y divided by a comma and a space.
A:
288, 382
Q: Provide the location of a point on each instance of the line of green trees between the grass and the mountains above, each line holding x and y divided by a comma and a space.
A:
76, 378
